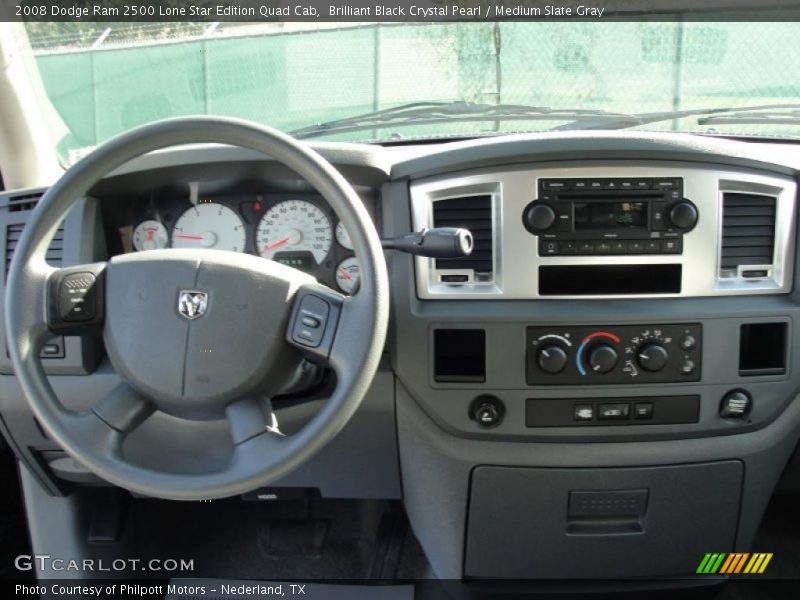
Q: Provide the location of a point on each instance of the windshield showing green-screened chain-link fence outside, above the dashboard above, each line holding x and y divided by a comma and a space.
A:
104, 78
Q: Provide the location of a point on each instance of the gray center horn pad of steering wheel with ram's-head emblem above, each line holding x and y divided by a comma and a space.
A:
194, 363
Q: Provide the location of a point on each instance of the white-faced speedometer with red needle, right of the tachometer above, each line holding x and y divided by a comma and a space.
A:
294, 226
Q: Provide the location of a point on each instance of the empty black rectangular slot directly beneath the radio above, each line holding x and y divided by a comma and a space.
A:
609, 280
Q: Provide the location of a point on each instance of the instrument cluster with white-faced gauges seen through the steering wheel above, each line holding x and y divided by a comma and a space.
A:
298, 230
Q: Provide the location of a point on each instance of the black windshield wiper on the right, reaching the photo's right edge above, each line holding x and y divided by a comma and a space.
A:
738, 114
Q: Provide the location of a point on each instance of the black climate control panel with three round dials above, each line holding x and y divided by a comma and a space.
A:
573, 355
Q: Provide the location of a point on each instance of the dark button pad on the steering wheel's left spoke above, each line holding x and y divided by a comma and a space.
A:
75, 300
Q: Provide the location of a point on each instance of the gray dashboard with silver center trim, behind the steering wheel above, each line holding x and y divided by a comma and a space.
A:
624, 331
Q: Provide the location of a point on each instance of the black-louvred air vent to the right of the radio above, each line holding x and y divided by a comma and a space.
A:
748, 231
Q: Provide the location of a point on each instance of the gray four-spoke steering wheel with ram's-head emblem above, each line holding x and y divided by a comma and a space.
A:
198, 334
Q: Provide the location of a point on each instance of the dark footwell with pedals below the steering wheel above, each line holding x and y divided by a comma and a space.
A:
315, 539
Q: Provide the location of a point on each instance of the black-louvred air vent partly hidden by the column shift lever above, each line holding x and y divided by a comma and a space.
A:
473, 213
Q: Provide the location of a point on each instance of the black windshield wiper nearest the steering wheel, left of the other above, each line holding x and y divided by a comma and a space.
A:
430, 113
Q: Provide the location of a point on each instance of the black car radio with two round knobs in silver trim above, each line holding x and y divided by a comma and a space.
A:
610, 216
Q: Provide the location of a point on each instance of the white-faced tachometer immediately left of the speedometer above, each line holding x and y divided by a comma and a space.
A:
209, 225
